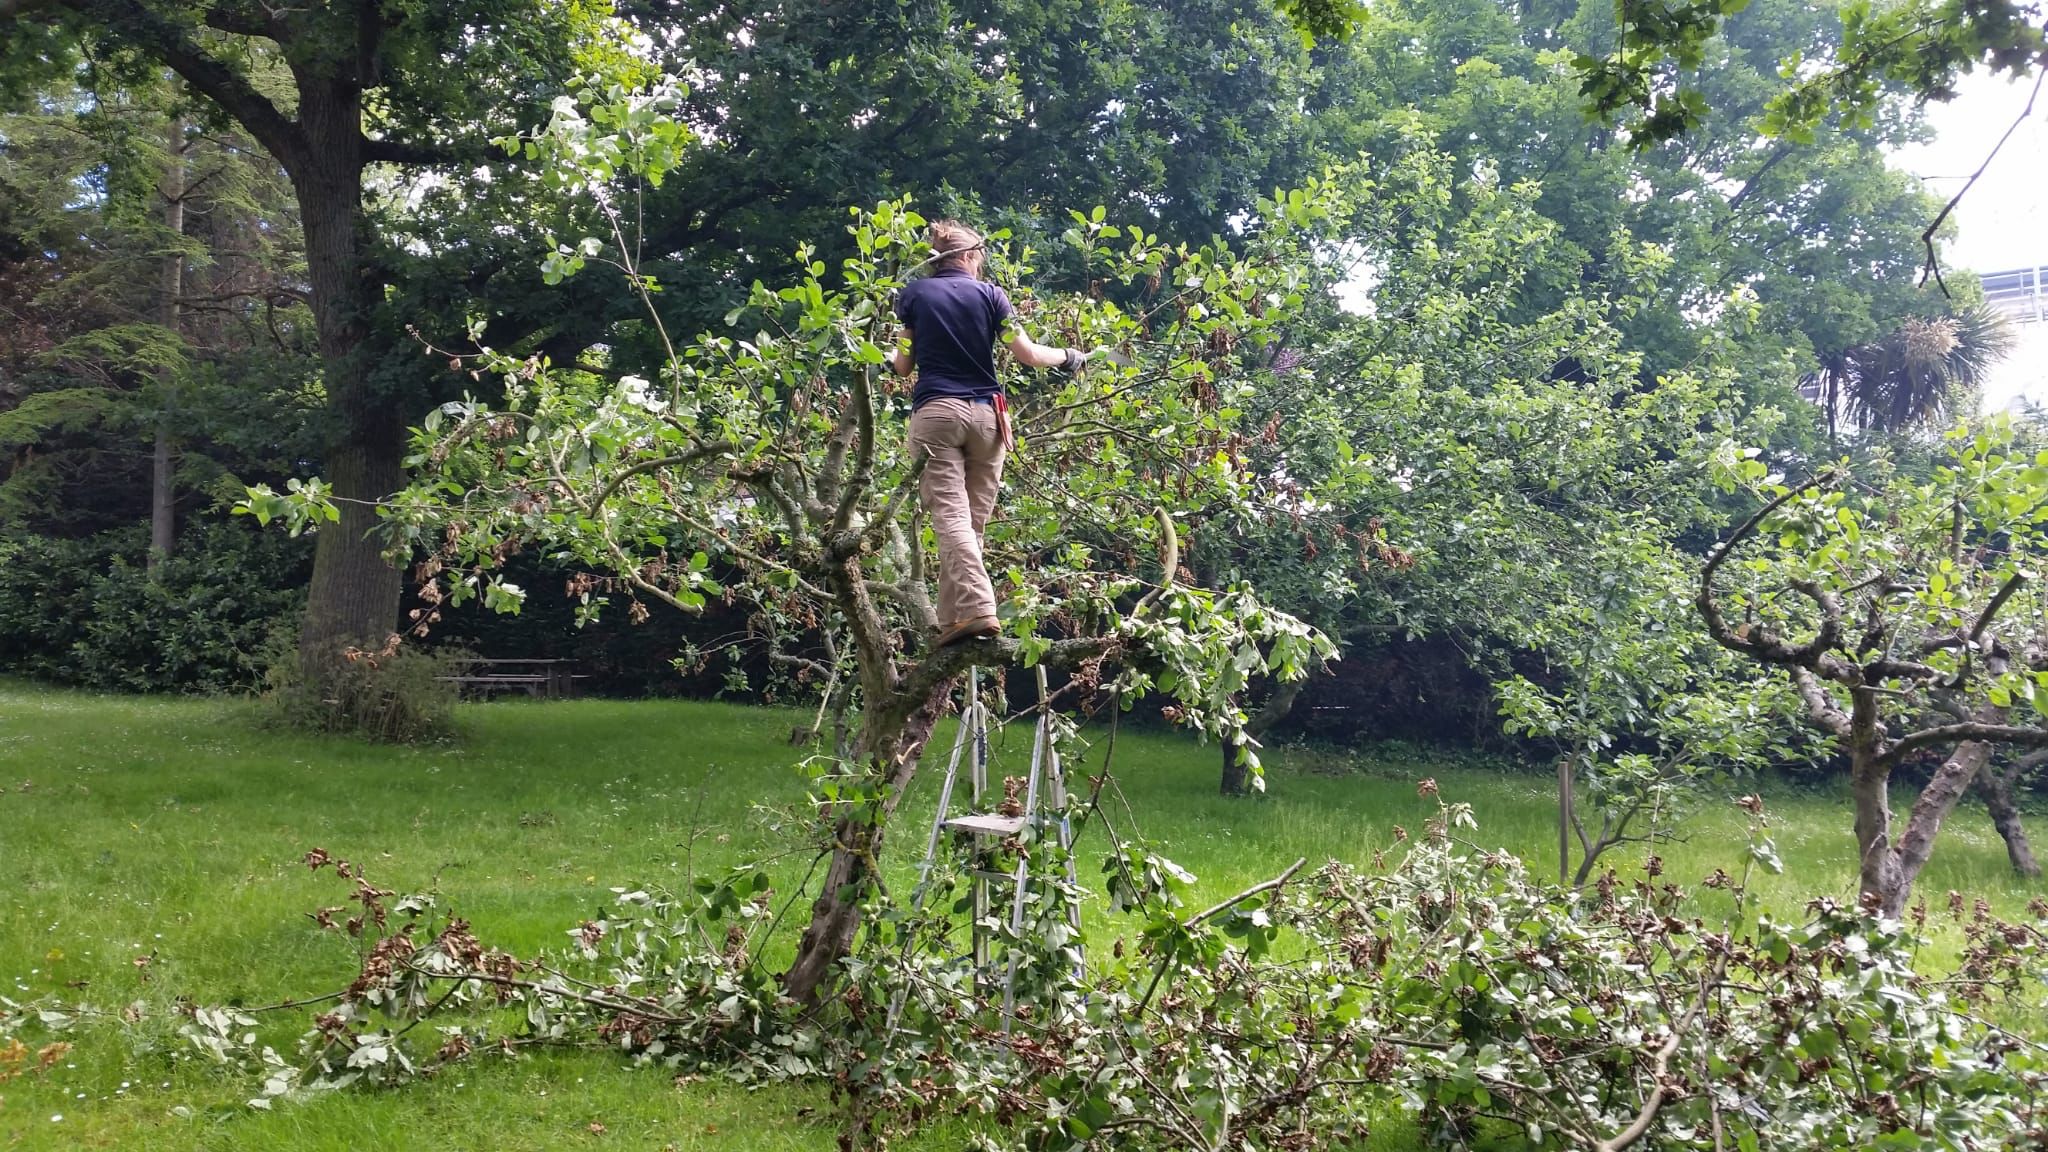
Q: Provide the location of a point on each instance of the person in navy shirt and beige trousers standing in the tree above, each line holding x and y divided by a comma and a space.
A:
959, 419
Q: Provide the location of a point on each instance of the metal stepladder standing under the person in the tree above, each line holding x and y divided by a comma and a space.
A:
1000, 846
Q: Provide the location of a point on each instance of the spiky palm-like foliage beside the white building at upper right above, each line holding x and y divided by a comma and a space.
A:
1916, 376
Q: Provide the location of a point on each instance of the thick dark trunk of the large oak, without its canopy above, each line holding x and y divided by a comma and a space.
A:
355, 593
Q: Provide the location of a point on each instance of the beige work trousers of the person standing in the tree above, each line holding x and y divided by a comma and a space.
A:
964, 452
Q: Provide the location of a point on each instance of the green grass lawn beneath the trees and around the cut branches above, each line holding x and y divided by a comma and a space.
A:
173, 829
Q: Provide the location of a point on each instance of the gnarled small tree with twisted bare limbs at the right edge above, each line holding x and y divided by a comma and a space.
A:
1910, 618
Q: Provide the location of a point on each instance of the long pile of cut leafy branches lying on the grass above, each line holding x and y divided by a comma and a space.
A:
1445, 989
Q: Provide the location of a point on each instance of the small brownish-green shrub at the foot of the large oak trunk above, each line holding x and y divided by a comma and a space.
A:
396, 694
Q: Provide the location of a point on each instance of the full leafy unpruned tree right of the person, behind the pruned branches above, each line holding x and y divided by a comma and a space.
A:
1484, 462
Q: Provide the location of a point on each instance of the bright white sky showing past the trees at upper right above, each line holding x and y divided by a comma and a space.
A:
2004, 222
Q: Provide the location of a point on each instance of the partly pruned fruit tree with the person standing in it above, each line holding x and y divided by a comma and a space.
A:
773, 470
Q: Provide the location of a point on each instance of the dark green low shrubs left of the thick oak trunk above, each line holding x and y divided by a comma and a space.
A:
87, 612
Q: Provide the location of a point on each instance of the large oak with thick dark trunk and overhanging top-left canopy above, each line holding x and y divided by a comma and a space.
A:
331, 91
